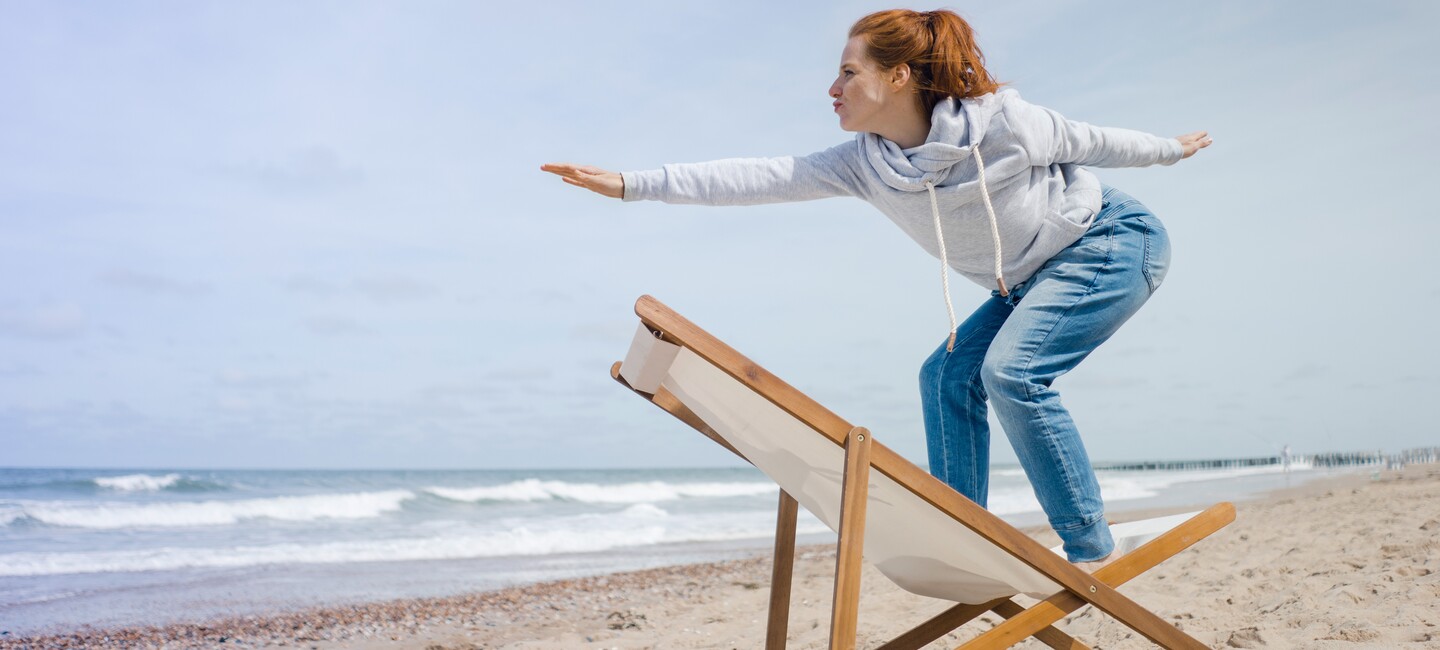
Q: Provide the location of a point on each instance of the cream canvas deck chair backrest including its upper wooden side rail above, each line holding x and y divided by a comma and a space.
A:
919, 547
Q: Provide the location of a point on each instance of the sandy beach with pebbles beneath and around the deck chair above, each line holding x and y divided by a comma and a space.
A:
1341, 563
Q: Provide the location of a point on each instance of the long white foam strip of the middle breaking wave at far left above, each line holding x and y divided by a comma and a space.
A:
217, 512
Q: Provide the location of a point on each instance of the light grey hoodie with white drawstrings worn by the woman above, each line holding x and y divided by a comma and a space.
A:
1032, 161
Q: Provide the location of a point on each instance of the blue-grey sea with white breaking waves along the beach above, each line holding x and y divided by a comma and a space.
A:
110, 548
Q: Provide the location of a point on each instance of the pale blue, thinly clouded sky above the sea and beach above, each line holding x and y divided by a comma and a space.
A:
316, 234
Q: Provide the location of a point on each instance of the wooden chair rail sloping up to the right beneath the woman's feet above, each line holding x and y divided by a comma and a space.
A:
1114, 574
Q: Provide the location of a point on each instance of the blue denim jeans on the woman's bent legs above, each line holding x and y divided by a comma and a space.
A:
1013, 350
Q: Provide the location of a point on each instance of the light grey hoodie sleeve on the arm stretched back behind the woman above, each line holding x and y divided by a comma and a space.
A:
1050, 139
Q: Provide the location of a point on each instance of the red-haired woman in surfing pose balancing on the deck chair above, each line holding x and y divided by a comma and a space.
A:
994, 188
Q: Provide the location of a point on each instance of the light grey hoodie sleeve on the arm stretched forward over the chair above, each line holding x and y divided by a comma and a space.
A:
750, 181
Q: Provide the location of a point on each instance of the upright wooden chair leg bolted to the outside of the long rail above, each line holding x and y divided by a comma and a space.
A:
855, 492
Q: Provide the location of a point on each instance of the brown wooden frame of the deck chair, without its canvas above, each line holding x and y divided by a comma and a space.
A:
863, 455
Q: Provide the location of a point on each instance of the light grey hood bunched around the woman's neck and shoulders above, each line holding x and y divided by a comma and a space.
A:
955, 128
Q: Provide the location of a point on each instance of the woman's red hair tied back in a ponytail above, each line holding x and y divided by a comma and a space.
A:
938, 47
